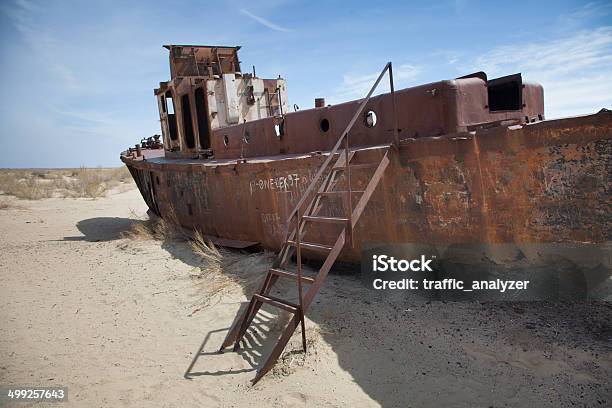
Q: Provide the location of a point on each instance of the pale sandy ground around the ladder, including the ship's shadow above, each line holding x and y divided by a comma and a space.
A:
124, 322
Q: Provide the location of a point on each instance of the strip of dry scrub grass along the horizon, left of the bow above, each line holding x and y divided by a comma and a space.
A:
74, 183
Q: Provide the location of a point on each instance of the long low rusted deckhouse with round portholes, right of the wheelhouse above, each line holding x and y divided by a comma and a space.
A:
429, 110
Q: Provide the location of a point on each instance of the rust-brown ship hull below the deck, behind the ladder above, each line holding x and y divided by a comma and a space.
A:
538, 189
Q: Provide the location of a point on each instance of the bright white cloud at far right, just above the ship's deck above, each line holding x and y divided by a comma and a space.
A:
576, 71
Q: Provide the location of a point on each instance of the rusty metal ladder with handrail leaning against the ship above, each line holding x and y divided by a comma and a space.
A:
304, 213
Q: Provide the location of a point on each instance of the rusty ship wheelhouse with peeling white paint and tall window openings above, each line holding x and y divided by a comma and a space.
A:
207, 91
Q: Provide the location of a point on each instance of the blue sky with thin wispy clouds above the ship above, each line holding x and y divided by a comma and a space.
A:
79, 75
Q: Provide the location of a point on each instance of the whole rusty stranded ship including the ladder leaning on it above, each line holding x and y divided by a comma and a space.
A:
470, 160
